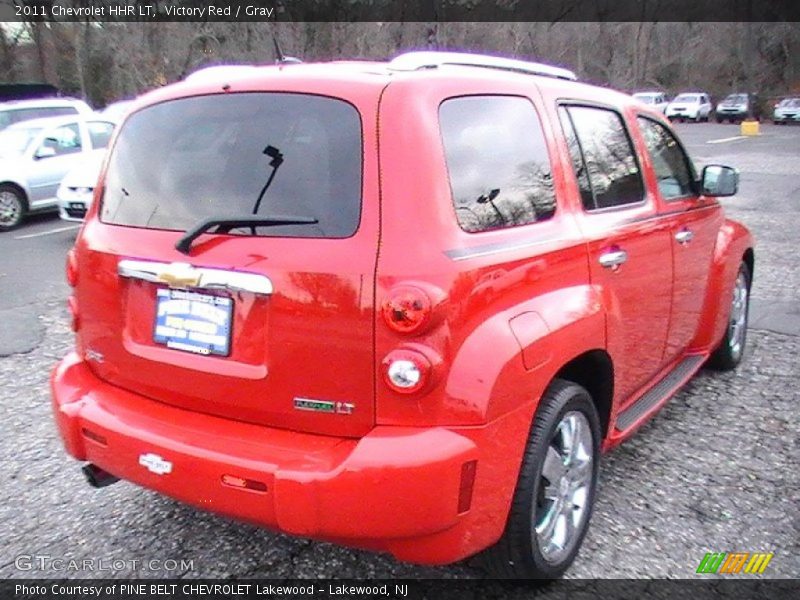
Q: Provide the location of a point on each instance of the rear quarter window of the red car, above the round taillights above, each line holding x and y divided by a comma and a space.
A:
497, 161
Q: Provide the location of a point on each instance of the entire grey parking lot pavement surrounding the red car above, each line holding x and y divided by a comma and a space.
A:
716, 470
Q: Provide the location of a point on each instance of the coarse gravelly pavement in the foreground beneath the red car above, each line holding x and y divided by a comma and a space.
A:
716, 470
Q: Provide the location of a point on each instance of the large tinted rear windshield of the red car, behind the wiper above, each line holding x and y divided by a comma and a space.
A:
183, 161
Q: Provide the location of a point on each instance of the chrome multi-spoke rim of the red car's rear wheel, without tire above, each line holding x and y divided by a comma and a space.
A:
564, 487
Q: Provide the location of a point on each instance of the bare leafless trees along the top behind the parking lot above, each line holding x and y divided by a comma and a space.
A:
107, 61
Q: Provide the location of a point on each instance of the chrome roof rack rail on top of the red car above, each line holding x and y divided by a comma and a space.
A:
413, 61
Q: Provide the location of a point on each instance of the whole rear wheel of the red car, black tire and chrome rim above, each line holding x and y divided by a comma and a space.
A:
519, 553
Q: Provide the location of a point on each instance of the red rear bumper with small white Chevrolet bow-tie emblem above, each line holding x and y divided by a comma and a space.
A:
396, 489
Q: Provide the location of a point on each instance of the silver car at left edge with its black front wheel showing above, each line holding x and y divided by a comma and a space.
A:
35, 156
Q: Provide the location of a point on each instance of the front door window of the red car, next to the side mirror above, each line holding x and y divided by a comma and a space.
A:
670, 163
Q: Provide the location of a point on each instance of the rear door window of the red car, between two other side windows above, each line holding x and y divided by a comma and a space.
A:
606, 156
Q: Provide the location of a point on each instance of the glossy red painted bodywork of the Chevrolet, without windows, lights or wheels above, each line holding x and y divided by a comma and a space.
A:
426, 476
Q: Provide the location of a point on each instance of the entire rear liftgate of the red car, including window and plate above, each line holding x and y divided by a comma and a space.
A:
271, 324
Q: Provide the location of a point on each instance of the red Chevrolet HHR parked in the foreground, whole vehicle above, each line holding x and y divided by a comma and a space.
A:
403, 306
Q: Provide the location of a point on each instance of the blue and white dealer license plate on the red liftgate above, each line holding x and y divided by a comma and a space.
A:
193, 322
